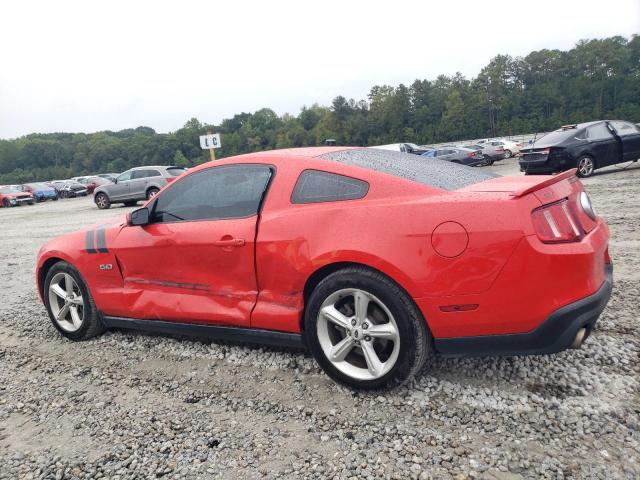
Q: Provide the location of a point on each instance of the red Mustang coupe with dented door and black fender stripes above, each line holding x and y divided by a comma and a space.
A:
371, 258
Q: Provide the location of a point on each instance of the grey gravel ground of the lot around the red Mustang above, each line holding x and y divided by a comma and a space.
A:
130, 405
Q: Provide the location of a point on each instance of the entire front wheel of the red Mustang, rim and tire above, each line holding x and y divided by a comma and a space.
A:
70, 304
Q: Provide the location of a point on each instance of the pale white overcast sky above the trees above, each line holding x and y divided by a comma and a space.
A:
88, 66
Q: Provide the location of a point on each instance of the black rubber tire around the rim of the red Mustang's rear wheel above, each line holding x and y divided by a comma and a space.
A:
415, 339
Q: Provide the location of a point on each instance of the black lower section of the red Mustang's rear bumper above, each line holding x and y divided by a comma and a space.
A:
555, 334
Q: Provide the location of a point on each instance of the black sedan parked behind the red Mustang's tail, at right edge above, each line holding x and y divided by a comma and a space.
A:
585, 146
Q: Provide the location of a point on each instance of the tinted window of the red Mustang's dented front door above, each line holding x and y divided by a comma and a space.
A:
229, 191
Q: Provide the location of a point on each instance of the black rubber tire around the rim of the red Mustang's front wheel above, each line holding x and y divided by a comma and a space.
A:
91, 323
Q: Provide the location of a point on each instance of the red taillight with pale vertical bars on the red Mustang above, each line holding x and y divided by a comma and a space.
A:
556, 223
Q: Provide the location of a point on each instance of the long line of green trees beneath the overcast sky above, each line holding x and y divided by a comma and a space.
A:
511, 95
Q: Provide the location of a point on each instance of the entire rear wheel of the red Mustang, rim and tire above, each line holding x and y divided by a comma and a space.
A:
364, 330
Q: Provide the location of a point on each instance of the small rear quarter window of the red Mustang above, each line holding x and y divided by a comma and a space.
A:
315, 186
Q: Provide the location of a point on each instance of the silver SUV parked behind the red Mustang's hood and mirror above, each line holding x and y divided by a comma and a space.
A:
139, 183
